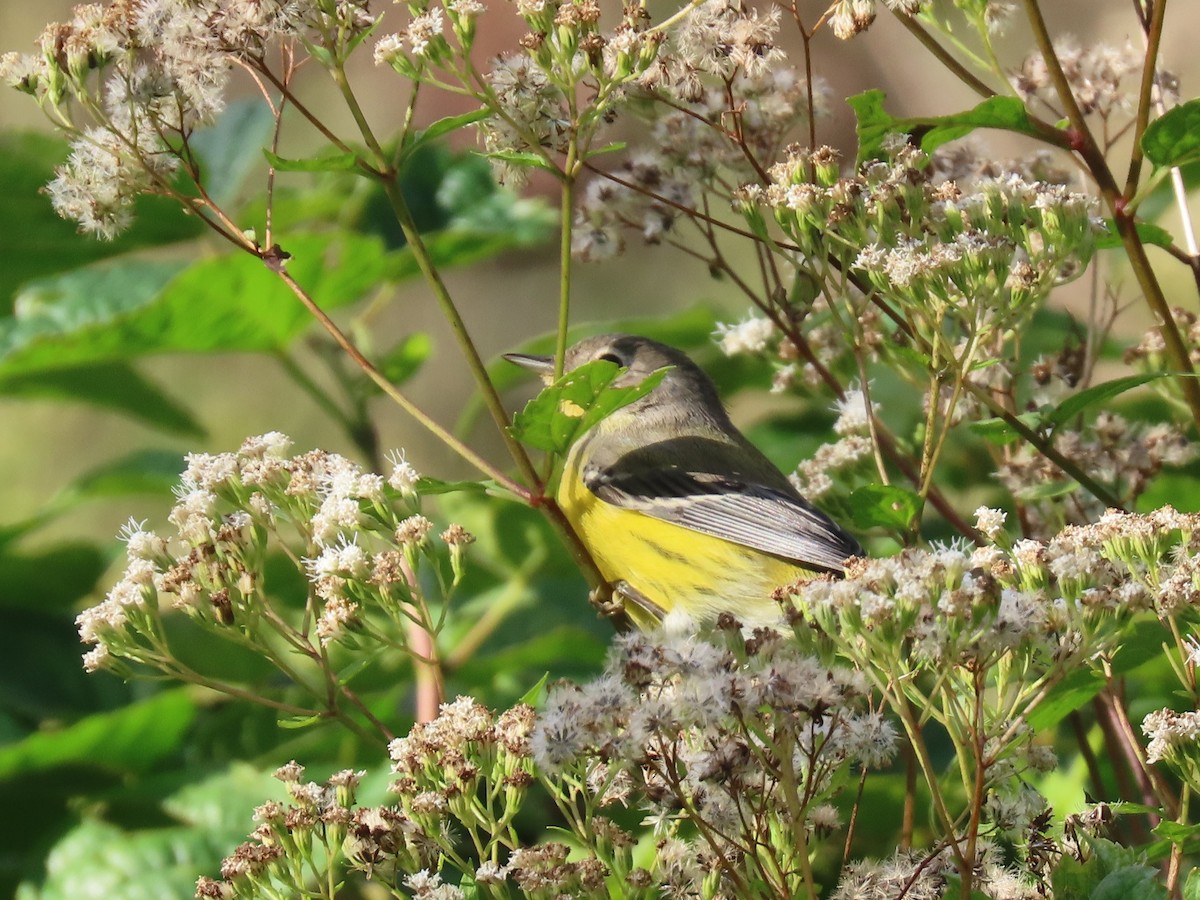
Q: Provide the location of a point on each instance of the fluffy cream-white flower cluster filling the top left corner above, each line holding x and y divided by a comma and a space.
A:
143, 76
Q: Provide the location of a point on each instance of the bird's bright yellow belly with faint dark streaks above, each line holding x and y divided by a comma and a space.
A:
676, 567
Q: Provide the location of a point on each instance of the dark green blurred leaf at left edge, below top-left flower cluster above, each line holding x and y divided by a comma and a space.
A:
44, 244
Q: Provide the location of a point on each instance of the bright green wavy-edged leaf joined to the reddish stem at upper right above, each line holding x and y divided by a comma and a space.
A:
875, 124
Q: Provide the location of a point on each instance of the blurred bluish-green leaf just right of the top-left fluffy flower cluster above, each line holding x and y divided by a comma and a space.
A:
229, 151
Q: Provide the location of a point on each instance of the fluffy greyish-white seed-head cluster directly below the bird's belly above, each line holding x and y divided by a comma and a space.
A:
717, 727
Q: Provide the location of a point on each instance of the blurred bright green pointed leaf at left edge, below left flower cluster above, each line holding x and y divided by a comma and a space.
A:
129, 740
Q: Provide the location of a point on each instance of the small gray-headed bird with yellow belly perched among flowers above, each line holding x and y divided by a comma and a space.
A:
679, 511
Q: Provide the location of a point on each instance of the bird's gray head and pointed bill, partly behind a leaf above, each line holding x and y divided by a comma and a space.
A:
685, 387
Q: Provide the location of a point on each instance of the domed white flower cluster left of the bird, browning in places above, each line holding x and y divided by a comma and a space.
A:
358, 544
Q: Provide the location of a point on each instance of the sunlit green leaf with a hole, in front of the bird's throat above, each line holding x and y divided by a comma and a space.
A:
565, 411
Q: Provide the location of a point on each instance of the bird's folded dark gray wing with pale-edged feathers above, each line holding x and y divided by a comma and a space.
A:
739, 511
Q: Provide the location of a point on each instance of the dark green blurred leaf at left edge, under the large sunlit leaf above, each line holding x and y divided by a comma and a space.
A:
113, 386
